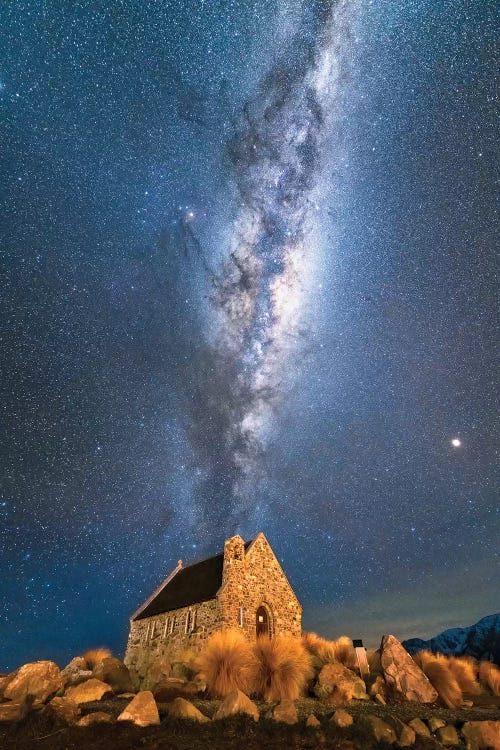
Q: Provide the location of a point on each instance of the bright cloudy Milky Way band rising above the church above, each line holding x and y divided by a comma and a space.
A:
279, 158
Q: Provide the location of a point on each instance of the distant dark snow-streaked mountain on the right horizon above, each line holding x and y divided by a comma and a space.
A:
482, 641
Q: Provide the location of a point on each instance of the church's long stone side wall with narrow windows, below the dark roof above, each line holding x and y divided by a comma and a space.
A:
157, 645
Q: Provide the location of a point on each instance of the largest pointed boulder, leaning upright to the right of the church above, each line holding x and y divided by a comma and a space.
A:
402, 675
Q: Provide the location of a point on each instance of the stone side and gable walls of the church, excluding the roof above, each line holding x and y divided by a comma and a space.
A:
252, 581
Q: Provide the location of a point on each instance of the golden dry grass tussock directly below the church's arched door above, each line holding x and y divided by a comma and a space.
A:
284, 667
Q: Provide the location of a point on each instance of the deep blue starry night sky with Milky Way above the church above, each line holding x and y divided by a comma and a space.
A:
248, 283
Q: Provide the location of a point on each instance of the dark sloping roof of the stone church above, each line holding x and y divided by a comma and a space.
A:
192, 584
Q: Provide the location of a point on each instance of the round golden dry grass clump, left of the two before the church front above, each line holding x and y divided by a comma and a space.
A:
227, 662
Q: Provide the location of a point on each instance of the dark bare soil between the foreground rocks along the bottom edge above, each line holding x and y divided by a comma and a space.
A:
237, 733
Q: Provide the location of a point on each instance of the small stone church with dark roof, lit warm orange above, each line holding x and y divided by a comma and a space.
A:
243, 587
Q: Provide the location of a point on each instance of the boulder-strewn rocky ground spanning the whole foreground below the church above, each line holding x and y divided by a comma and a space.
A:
94, 703
